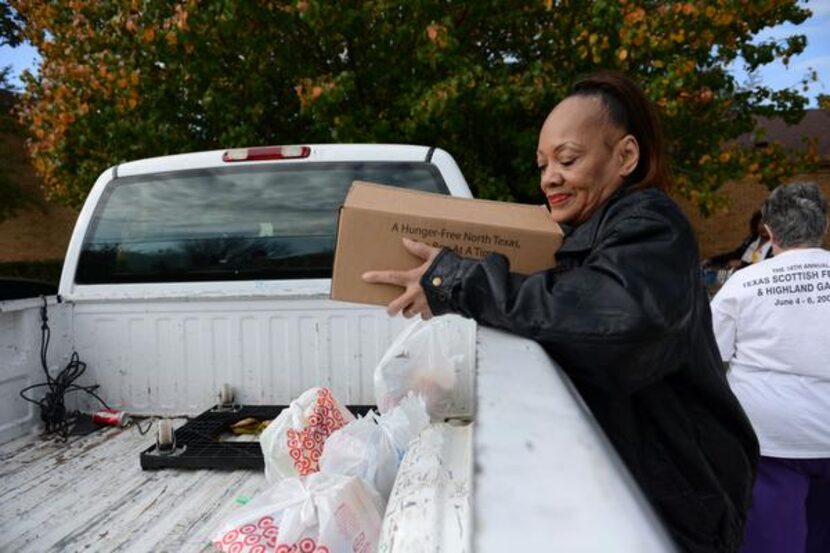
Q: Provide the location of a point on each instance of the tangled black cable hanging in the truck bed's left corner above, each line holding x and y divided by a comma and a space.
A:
52, 405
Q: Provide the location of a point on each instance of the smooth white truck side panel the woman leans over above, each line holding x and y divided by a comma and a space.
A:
546, 478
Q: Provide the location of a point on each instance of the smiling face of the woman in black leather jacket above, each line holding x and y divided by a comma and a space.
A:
583, 158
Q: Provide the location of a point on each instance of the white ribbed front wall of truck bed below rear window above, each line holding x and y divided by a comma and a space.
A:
171, 357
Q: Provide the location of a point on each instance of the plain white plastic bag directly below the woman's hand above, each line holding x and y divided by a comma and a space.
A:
419, 360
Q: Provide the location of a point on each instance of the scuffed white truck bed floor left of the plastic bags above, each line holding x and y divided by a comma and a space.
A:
89, 493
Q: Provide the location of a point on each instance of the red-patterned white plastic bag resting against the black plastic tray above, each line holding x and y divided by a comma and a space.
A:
293, 442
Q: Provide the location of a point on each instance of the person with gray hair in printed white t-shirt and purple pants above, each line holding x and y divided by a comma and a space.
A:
772, 325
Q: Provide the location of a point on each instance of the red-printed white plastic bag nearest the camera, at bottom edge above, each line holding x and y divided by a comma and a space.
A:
320, 513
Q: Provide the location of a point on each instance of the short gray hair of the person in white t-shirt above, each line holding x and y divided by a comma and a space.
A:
797, 215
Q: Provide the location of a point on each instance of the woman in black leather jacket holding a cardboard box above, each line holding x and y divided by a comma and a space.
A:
624, 312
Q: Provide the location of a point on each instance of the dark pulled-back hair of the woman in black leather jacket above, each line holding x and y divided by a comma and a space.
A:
629, 109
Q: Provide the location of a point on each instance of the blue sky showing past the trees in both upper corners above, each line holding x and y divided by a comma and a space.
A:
816, 56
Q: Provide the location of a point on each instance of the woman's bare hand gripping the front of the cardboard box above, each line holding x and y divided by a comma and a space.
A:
413, 301
